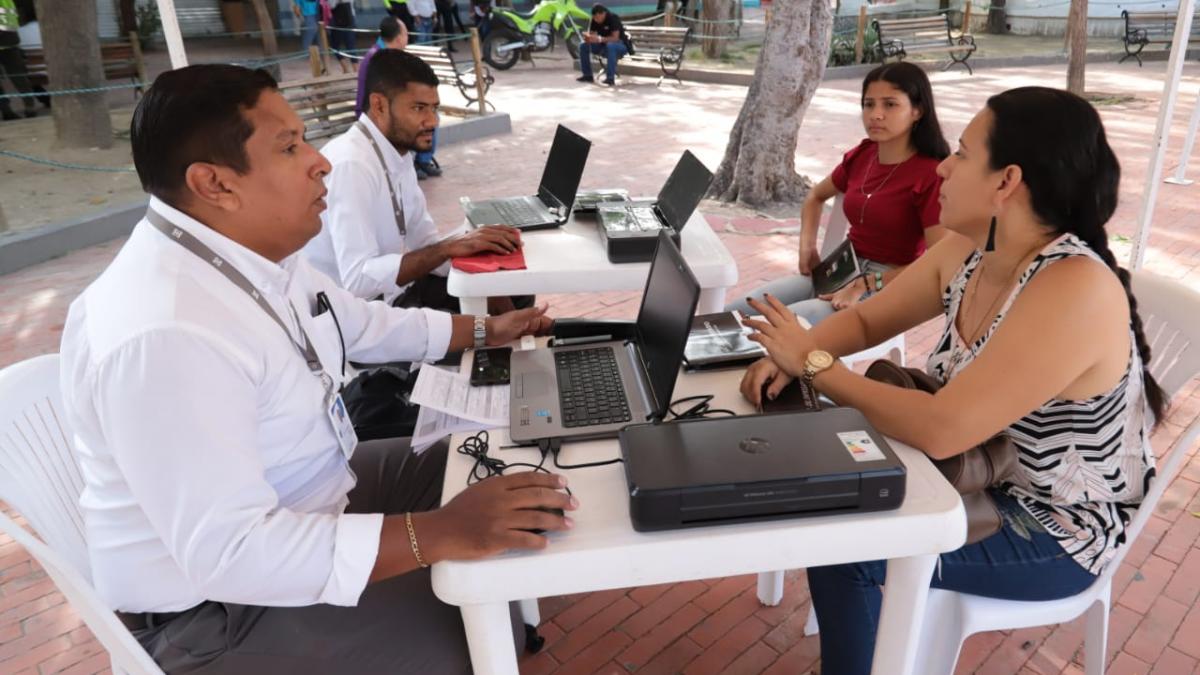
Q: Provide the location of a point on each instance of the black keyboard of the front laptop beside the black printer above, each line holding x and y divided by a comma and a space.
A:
590, 390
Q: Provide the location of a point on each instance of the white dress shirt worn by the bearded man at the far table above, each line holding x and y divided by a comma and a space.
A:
361, 244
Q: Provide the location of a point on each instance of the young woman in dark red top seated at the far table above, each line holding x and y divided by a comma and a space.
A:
891, 186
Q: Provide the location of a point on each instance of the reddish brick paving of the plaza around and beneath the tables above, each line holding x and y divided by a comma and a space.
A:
716, 626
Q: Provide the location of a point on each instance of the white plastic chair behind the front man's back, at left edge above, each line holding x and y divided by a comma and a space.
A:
40, 479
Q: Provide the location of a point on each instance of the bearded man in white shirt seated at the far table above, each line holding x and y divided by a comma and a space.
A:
379, 237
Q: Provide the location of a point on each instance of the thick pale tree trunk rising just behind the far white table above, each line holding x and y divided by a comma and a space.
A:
760, 160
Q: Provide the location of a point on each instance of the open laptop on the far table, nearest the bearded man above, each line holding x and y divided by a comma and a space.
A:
556, 194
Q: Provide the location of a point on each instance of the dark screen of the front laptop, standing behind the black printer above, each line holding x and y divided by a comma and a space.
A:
665, 319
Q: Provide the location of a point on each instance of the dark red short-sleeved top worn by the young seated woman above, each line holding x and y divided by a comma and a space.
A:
892, 230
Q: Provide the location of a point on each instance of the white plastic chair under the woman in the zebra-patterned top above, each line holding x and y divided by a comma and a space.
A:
1172, 316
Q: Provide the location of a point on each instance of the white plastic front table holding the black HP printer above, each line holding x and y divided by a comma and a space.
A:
604, 552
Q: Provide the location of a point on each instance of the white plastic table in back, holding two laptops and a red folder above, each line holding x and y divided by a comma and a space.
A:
572, 260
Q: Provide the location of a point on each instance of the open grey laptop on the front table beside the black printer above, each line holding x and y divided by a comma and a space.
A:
593, 391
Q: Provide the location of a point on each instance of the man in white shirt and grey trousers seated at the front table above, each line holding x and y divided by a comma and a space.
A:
231, 521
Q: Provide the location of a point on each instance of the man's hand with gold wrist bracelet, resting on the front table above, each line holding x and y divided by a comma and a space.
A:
495, 516
